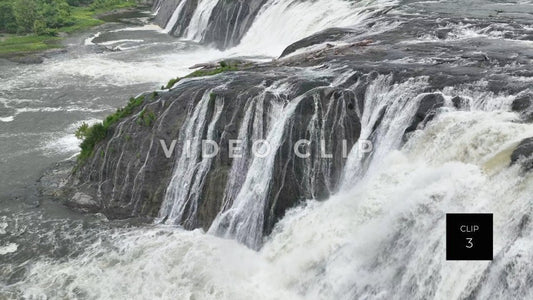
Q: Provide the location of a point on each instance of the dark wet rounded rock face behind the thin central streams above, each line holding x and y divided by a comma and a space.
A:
129, 173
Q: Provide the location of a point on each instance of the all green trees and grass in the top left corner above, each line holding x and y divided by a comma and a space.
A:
33, 25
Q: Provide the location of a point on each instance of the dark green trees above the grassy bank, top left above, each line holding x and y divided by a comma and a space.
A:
43, 17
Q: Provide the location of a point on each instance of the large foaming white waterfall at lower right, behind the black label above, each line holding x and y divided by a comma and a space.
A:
385, 237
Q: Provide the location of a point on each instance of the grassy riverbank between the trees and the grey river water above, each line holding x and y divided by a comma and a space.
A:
19, 47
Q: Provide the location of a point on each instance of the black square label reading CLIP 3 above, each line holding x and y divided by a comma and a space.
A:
469, 237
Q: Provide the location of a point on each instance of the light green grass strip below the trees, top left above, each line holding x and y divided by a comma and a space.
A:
82, 17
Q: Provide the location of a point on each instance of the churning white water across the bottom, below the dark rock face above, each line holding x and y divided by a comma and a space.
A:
383, 239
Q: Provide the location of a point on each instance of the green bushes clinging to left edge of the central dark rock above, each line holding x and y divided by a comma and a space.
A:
92, 135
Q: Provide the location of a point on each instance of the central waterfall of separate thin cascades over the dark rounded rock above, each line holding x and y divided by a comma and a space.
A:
387, 110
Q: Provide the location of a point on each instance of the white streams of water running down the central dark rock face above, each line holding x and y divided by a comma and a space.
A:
389, 109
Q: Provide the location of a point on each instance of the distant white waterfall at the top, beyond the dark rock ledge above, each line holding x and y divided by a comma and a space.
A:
266, 27
